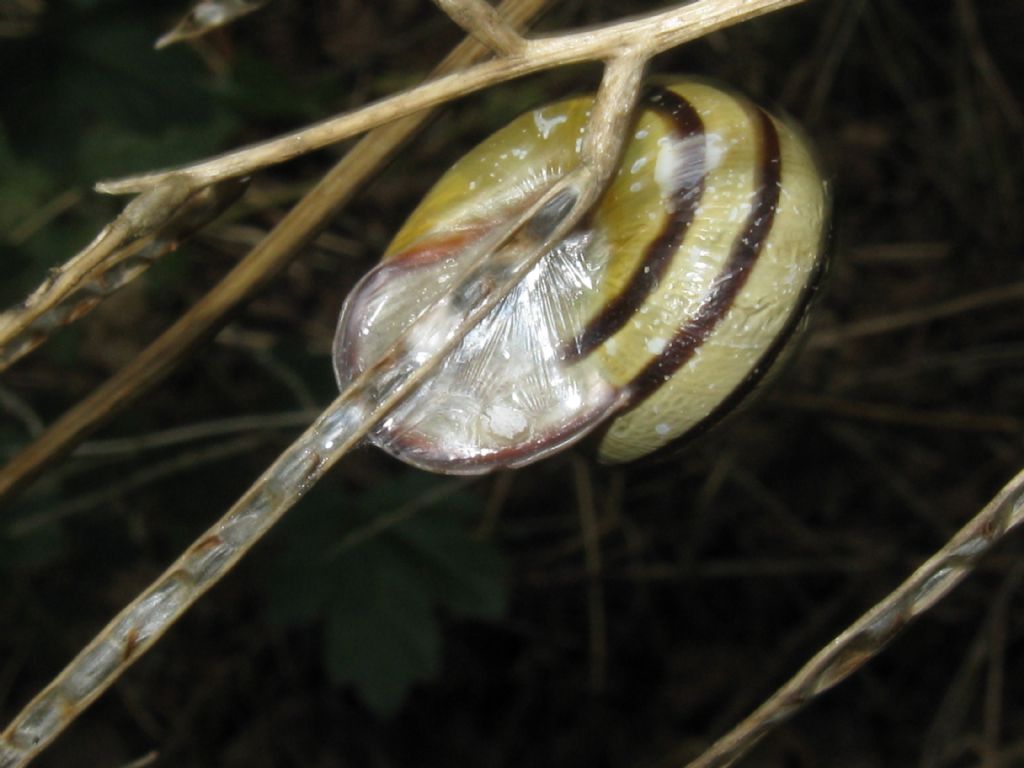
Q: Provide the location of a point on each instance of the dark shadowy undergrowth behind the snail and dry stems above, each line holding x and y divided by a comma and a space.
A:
465, 634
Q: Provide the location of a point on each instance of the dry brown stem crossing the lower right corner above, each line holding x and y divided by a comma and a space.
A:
870, 634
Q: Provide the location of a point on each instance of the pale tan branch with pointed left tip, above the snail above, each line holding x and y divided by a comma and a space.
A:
649, 35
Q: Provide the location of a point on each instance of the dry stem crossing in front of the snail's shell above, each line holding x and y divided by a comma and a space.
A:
344, 424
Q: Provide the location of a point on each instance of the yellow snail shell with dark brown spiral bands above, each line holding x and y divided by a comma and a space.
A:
659, 313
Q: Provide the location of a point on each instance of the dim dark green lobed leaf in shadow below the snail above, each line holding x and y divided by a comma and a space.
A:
377, 575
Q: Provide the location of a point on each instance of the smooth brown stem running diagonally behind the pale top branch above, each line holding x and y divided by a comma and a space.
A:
259, 268
